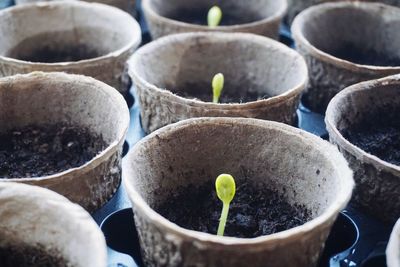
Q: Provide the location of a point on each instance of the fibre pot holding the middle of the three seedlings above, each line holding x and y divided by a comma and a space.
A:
249, 62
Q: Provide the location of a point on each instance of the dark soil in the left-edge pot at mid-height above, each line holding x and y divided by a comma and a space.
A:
35, 151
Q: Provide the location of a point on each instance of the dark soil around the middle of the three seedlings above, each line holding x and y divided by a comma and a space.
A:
203, 92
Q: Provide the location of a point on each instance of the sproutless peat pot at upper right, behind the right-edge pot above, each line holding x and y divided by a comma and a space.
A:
323, 30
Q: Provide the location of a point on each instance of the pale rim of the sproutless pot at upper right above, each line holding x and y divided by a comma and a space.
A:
298, 35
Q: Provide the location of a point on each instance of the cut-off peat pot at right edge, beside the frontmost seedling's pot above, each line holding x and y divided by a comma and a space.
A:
377, 182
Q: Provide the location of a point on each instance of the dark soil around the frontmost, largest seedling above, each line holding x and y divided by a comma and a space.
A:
253, 212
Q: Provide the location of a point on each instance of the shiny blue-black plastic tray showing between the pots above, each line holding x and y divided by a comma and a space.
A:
355, 240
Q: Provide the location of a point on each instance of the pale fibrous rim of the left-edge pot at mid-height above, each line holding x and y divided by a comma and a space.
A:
105, 153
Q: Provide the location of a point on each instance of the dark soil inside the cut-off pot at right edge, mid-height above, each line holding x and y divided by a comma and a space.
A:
378, 134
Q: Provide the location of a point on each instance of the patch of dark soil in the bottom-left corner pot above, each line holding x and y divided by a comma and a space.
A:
30, 257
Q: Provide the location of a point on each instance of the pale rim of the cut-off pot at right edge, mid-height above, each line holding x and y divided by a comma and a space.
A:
343, 142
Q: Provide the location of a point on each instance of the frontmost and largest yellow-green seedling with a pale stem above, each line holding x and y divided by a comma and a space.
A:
226, 189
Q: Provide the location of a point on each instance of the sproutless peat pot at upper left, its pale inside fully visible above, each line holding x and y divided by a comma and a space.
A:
94, 39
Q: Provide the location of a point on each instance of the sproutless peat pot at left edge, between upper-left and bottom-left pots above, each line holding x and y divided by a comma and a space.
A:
59, 100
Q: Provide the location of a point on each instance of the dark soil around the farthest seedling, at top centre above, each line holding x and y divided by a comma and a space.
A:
199, 17
